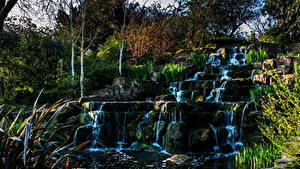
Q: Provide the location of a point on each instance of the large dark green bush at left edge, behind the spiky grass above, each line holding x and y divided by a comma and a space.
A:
29, 60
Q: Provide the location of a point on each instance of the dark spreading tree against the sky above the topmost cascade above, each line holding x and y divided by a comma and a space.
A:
223, 17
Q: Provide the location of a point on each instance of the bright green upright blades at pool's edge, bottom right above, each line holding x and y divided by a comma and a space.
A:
258, 156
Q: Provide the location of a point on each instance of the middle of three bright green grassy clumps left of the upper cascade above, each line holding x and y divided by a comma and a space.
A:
173, 72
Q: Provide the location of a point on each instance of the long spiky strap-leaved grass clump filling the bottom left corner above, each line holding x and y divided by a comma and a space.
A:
34, 140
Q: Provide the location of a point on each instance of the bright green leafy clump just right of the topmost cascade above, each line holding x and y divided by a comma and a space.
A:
255, 56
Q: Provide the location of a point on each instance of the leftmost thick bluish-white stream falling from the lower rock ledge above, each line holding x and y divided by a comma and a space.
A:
96, 126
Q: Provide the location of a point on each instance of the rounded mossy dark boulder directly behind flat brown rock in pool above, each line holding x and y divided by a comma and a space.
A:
175, 139
